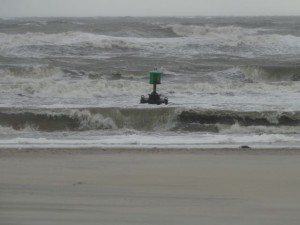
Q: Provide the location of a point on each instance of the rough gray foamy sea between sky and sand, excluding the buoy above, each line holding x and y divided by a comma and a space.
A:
77, 82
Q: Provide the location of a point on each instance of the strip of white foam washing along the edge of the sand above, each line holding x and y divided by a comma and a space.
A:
196, 140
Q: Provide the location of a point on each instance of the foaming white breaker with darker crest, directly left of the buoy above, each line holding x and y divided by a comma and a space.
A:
47, 81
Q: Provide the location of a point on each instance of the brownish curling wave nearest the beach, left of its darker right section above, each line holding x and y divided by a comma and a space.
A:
87, 119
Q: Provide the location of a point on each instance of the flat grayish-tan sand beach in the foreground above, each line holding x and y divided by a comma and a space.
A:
41, 187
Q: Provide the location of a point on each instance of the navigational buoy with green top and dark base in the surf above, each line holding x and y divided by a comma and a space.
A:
154, 97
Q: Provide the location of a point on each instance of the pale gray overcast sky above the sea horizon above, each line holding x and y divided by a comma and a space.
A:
20, 8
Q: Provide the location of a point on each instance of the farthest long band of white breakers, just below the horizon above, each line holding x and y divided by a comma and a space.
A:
191, 40
